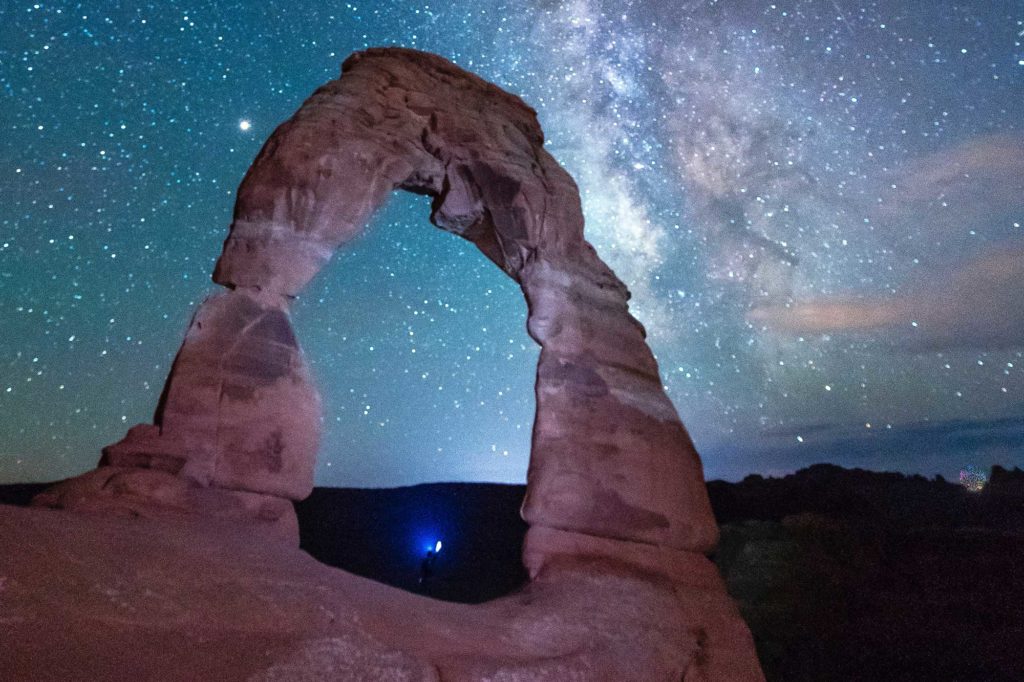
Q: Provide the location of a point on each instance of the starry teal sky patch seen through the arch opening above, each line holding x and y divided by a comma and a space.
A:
419, 348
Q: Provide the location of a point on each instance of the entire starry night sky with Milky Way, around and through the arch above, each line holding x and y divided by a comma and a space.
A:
818, 206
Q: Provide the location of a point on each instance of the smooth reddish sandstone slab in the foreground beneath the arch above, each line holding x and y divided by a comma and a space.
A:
95, 598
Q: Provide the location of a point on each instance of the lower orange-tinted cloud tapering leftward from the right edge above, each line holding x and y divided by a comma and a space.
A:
976, 306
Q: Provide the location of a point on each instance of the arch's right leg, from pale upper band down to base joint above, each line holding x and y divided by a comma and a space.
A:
610, 456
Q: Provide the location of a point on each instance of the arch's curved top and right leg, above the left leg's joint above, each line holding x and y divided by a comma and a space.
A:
610, 456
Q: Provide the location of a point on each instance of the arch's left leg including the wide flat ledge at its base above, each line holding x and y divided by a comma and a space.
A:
235, 435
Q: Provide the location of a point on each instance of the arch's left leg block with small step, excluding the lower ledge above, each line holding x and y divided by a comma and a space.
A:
239, 411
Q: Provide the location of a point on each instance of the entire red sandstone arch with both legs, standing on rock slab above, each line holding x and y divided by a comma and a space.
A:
614, 477
